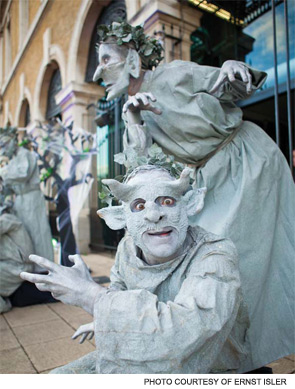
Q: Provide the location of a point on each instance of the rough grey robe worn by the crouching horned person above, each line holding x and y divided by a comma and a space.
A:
182, 316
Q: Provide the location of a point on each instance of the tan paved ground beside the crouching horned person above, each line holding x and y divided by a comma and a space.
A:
37, 338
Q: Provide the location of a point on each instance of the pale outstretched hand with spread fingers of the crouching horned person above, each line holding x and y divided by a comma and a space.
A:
71, 285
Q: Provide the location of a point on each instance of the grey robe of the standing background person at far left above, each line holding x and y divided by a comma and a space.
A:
22, 176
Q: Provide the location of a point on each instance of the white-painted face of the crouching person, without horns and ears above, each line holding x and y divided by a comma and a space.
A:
156, 217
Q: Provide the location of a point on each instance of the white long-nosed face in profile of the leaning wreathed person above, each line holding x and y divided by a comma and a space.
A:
113, 69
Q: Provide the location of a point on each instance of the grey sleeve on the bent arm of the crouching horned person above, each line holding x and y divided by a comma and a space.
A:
137, 333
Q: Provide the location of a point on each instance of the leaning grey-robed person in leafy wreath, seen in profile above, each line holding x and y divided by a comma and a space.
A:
250, 191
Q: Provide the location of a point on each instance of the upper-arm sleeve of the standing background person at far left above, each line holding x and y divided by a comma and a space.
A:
19, 169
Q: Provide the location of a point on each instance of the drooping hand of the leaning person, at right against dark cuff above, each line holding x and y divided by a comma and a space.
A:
228, 72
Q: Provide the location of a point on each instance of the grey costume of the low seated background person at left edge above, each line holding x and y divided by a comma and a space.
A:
15, 248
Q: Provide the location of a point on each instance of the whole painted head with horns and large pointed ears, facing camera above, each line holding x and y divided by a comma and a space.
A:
155, 211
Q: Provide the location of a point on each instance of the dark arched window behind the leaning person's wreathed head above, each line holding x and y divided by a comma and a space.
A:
116, 10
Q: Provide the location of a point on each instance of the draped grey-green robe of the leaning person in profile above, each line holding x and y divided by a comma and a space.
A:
250, 196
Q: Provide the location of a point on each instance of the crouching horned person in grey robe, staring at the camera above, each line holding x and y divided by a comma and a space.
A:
174, 304
